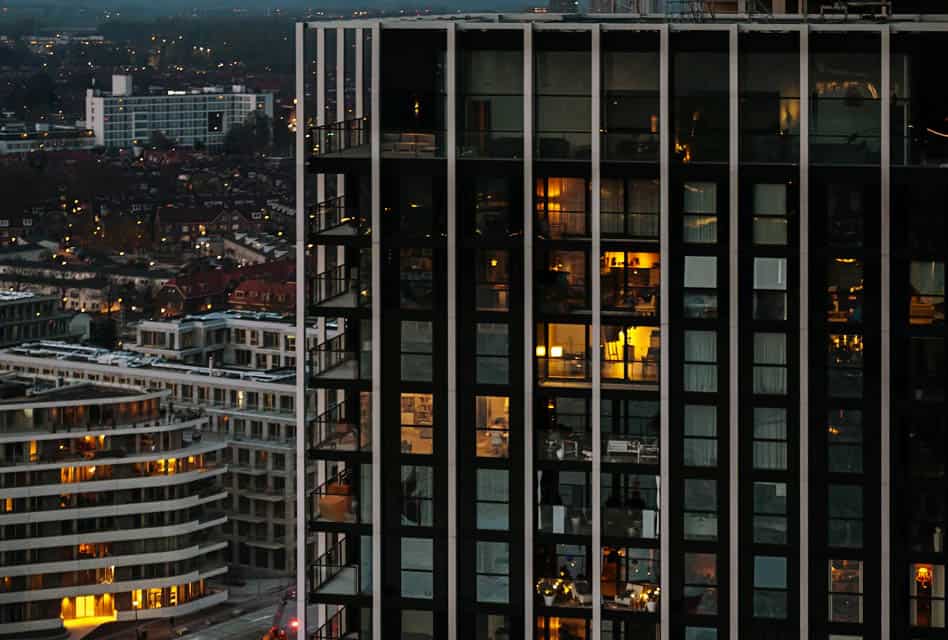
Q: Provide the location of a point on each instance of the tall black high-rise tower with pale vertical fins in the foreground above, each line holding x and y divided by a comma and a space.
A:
640, 328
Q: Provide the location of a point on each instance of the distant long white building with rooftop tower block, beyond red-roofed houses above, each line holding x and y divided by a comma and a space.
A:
122, 119
